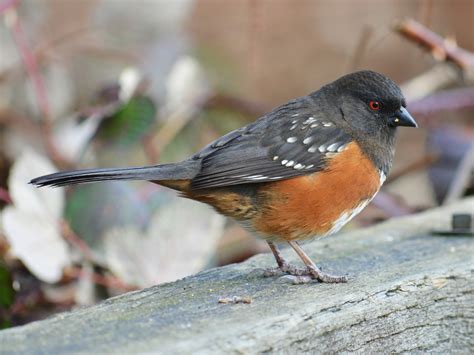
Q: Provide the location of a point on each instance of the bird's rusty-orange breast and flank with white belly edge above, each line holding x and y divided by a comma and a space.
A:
320, 203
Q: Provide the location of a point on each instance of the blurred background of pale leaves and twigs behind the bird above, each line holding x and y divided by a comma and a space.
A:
93, 83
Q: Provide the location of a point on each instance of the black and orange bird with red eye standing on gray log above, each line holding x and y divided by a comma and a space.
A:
299, 172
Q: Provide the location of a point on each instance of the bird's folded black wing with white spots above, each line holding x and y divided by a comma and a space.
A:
295, 139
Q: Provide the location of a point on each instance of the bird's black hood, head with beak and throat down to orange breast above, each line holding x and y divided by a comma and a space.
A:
370, 107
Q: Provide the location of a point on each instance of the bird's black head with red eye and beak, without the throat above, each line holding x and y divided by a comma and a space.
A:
371, 103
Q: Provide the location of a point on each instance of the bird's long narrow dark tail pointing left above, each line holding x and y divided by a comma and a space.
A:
165, 172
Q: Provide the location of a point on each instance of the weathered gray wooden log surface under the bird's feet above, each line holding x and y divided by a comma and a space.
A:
410, 291
